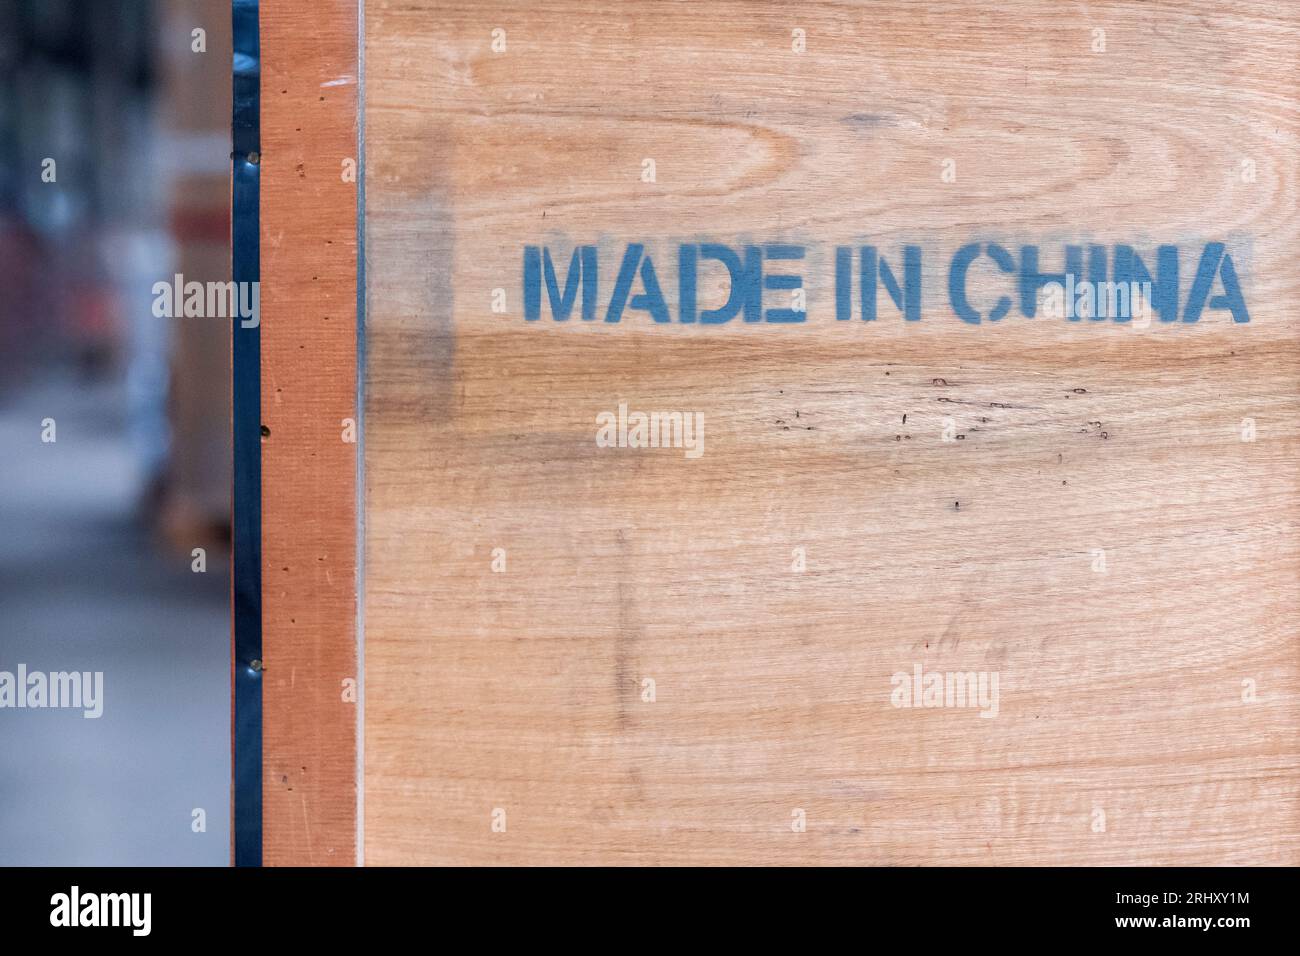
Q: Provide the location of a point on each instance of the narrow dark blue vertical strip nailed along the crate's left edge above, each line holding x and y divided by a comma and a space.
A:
246, 573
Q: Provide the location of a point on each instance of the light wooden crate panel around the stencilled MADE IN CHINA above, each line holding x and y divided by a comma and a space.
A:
1120, 691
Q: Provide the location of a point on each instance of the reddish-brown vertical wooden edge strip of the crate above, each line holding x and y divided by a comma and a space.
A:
309, 388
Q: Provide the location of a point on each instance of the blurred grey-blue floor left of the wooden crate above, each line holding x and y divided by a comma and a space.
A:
84, 587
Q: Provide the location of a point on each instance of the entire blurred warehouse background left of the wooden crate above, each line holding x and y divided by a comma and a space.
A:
115, 175
